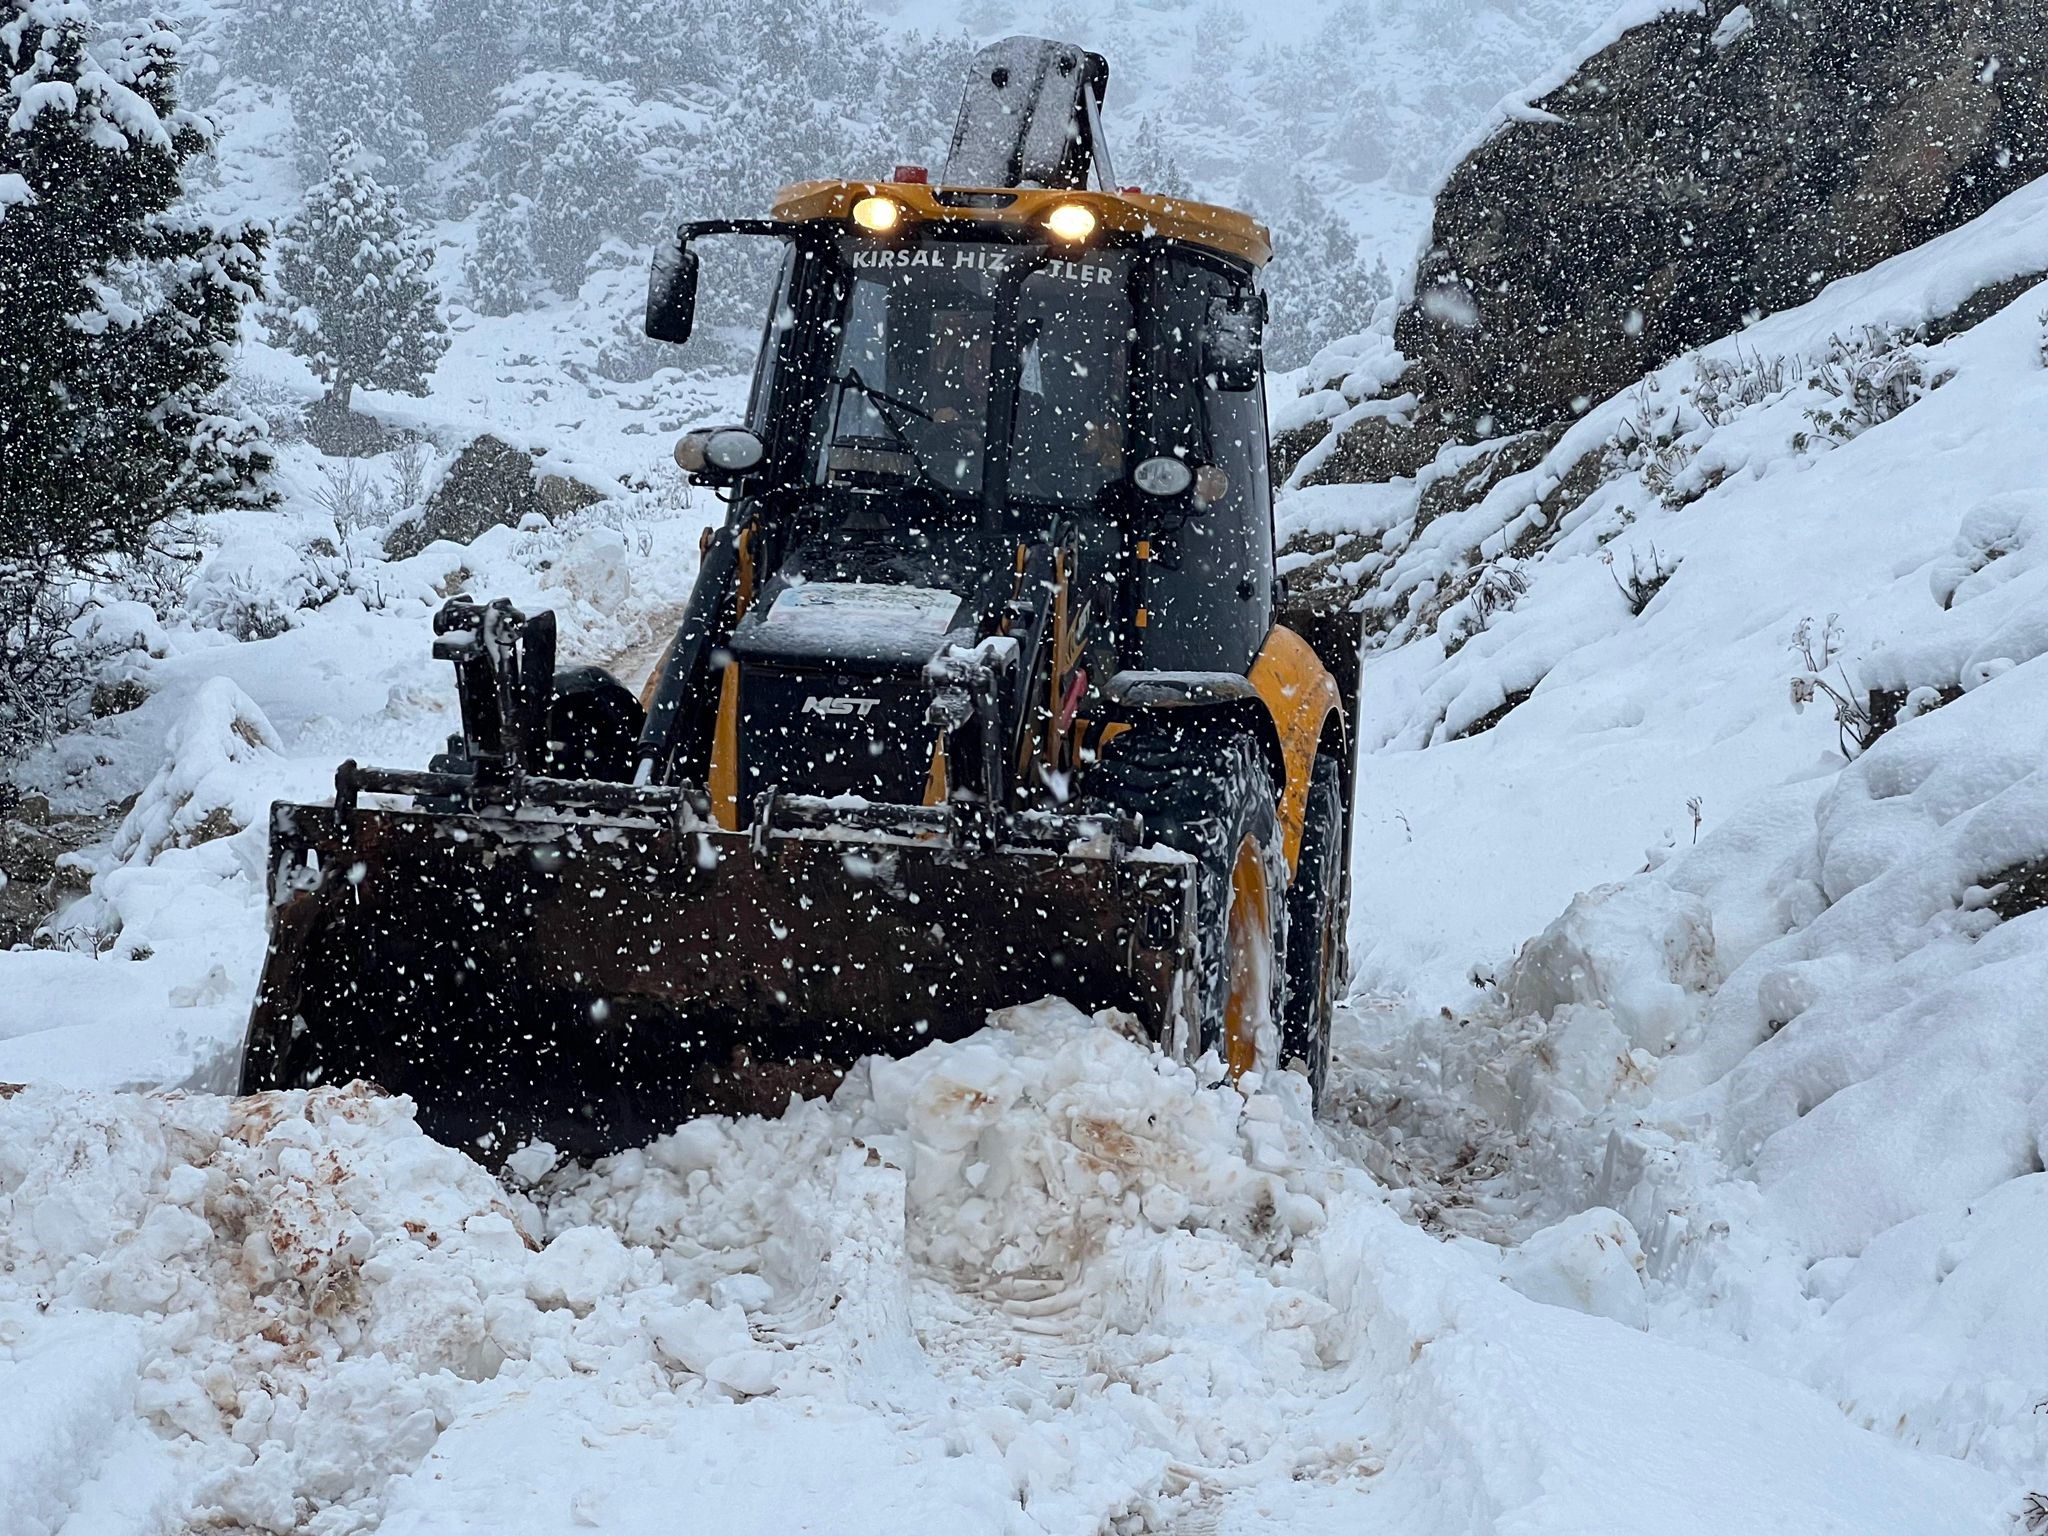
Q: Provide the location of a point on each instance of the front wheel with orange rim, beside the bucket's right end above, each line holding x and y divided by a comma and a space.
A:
1209, 794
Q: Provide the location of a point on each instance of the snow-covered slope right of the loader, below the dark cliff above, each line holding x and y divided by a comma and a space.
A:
1799, 1056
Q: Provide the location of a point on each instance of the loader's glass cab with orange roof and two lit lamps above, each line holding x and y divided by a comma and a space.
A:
945, 359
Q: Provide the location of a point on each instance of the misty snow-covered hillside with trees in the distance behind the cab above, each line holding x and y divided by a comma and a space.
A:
1332, 120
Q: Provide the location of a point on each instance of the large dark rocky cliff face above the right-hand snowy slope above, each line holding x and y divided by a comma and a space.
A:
1709, 167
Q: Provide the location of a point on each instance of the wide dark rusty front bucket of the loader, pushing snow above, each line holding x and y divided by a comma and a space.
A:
597, 982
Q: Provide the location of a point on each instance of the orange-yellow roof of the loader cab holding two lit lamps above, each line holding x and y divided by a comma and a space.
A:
1172, 218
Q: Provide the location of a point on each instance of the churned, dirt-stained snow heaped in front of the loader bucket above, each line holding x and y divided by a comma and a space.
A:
1039, 1281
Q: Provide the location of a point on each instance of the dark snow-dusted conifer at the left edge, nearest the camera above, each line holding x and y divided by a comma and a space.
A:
120, 308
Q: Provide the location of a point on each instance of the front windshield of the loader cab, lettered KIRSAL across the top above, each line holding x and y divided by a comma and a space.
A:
978, 368
